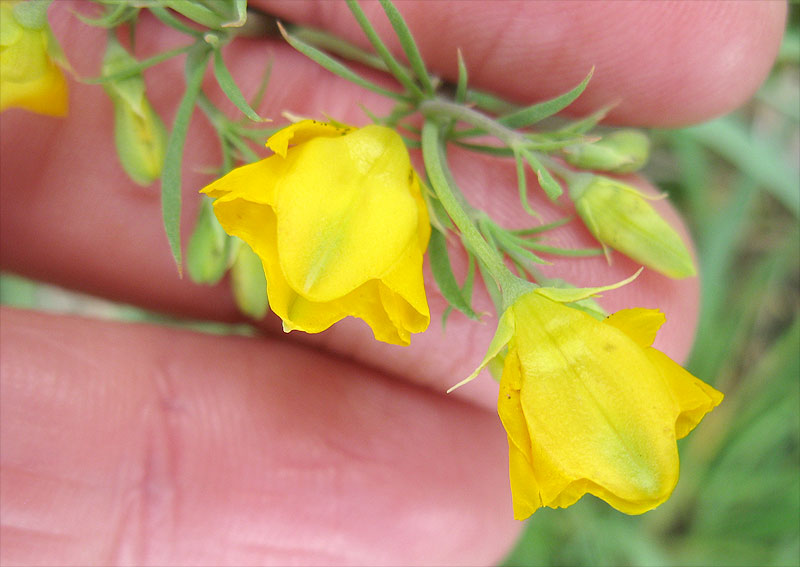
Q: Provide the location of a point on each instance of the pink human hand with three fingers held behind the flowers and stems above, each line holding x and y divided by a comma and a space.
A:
139, 444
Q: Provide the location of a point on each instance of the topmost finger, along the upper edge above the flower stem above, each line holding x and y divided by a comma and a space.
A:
664, 63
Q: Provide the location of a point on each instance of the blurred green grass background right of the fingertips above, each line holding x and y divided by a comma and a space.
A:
738, 502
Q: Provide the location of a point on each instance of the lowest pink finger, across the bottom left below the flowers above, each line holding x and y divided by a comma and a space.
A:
131, 444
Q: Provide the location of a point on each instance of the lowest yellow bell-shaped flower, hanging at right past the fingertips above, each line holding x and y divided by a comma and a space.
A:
590, 407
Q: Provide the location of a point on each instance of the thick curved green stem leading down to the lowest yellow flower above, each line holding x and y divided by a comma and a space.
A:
432, 152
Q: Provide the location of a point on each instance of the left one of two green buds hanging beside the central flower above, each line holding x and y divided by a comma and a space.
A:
209, 250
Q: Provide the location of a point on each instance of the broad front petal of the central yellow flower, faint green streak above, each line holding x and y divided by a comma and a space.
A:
369, 219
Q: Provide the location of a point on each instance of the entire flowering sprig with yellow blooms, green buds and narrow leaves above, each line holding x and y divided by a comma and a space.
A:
336, 223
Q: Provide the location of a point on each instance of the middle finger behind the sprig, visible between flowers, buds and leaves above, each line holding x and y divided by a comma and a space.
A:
73, 218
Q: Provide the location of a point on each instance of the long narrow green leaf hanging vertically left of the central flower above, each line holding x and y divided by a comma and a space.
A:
196, 63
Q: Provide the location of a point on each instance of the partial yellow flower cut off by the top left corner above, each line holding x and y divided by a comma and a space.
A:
29, 78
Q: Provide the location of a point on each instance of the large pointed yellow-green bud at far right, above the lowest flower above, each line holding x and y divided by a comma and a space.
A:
620, 217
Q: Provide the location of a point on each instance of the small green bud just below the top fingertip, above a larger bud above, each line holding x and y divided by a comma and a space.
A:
622, 151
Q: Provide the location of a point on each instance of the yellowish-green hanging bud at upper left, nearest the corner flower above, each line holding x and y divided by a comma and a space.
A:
139, 133
